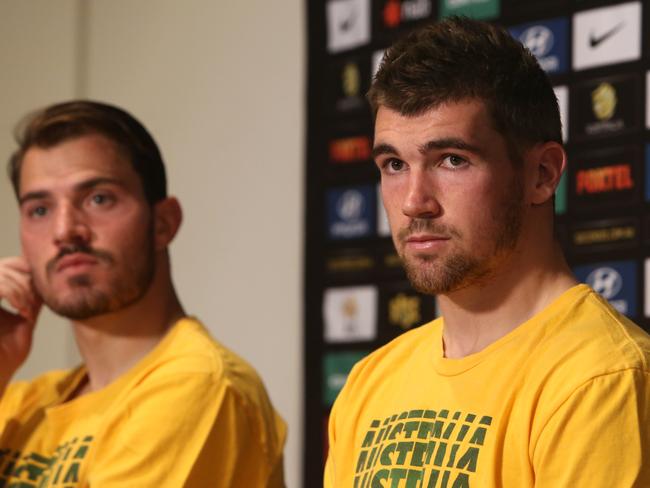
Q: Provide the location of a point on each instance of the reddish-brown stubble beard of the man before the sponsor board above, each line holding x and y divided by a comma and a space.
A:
432, 275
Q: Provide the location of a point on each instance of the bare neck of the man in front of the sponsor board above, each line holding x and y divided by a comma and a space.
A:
525, 284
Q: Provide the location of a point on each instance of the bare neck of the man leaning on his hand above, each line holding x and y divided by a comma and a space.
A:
113, 343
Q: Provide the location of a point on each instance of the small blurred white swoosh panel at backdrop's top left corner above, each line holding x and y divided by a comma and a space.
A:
348, 24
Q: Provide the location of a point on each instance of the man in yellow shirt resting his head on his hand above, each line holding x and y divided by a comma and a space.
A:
157, 402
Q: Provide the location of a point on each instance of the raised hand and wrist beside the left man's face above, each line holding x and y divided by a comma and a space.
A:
16, 328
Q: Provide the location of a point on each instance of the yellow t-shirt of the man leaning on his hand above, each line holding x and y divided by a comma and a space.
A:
190, 414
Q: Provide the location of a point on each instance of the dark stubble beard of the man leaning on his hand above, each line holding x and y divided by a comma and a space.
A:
86, 300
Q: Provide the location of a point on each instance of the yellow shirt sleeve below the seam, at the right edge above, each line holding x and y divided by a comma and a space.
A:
599, 437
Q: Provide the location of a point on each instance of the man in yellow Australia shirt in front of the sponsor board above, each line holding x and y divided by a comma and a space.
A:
529, 378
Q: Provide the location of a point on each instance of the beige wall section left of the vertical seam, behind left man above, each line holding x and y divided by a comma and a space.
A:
39, 66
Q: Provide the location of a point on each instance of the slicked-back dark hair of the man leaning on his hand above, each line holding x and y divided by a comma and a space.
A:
64, 121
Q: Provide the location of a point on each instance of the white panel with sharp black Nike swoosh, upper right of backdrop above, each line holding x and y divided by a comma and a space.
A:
607, 35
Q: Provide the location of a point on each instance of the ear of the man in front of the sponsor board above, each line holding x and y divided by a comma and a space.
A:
548, 161
